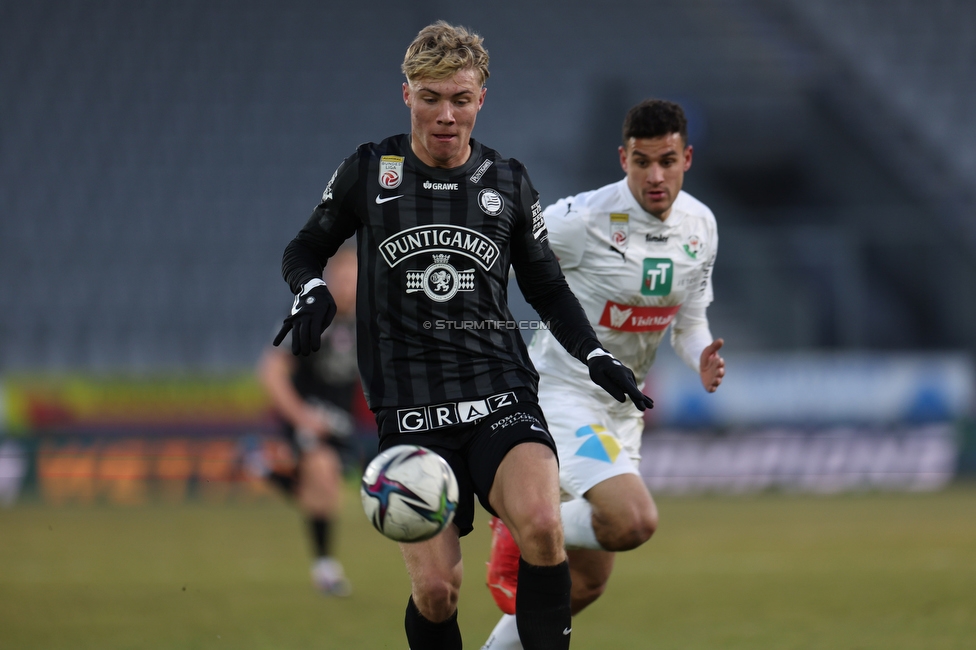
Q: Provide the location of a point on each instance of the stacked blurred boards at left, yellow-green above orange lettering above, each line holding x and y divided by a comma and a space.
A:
129, 440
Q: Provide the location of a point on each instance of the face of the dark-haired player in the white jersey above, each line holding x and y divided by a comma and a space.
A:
655, 169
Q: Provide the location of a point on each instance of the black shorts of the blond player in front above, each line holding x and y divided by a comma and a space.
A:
474, 450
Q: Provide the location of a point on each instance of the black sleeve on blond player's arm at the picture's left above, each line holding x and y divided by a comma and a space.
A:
332, 222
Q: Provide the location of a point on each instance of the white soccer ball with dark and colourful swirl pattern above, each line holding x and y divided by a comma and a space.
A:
409, 493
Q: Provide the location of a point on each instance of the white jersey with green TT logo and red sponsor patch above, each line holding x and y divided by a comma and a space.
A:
631, 272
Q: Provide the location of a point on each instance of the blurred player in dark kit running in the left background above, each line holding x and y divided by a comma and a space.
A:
315, 397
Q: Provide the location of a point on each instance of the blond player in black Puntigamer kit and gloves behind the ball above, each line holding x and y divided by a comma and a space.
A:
440, 219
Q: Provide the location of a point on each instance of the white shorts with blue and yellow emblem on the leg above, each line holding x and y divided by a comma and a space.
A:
596, 439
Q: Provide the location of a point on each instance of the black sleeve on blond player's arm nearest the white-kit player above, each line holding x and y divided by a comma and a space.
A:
542, 281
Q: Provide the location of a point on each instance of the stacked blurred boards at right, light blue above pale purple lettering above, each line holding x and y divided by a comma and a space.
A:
813, 422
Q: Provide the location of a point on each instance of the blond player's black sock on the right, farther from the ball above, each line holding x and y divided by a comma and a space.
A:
542, 611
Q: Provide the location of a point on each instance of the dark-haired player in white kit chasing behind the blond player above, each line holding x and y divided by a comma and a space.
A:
639, 255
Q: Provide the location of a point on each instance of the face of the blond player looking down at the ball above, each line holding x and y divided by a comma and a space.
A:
442, 115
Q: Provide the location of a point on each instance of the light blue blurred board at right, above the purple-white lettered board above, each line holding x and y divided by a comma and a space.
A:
817, 389
